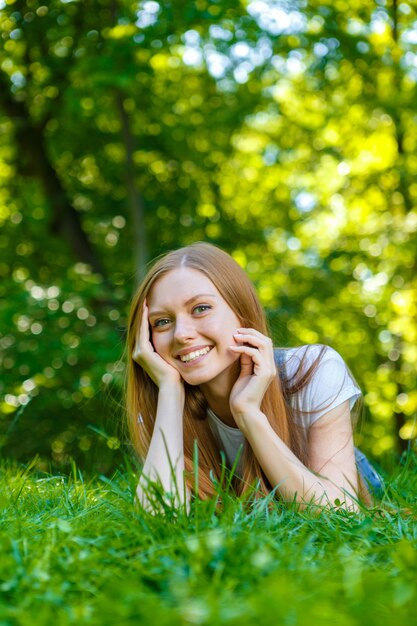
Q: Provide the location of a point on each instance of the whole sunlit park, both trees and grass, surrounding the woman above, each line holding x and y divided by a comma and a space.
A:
283, 132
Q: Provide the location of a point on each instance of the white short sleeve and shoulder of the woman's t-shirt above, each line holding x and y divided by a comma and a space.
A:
330, 385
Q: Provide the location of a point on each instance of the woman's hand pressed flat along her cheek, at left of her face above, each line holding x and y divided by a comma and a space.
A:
144, 355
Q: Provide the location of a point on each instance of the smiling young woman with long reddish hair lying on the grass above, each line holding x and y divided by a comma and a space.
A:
202, 367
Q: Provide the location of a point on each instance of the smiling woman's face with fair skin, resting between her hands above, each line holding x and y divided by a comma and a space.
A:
192, 326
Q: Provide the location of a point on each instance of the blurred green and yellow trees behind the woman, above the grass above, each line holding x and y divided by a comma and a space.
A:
283, 131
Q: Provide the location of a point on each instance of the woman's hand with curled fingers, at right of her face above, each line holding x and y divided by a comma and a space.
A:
257, 371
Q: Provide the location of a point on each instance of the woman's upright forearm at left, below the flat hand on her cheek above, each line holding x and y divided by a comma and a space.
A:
165, 459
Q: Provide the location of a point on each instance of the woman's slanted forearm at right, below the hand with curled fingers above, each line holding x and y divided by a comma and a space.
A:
282, 468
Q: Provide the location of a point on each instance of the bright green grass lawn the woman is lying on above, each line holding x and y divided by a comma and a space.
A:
74, 551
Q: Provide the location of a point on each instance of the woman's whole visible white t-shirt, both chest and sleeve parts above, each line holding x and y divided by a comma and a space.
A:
330, 385
